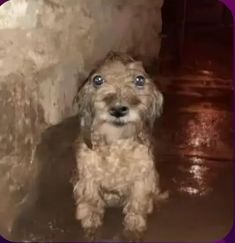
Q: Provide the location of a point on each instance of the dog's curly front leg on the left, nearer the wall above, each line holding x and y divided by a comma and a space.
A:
90, 207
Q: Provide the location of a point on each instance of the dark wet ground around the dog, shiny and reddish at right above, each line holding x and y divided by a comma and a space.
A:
194, 150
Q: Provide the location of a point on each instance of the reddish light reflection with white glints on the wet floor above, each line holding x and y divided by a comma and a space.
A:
203, 135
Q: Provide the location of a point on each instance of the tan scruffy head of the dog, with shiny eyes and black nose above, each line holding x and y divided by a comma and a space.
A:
119, 92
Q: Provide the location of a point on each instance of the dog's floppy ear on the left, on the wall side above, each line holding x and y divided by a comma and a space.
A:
85, 112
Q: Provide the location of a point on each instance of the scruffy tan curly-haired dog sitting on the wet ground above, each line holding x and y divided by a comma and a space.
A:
118, 105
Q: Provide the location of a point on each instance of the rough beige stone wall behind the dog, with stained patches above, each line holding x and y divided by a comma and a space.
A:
46, 48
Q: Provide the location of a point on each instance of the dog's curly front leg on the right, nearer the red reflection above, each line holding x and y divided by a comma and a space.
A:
139, 205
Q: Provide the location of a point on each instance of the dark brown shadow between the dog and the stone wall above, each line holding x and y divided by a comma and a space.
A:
49, 212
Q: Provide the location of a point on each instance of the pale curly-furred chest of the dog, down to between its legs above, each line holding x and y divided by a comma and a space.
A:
115, 167
